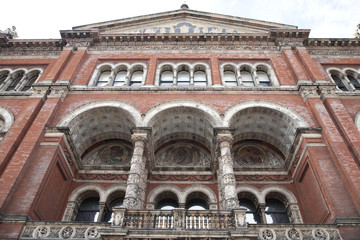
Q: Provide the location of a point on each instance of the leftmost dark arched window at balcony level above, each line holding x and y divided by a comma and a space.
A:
88, 210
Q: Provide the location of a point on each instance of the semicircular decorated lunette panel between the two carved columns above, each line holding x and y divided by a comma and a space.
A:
182, 155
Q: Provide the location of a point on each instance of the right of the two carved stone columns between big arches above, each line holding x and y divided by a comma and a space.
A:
226, 178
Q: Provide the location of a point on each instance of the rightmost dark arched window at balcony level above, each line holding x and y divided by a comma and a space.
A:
275, 212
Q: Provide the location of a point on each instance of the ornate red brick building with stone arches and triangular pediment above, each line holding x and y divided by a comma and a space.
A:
180, 125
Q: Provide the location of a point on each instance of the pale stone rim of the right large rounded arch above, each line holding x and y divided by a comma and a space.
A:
231, 112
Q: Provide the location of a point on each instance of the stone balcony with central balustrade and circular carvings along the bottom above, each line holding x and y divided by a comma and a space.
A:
177, 223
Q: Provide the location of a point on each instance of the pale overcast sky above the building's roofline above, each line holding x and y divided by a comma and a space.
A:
42, 19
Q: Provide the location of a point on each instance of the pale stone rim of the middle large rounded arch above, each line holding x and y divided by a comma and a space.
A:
212, 114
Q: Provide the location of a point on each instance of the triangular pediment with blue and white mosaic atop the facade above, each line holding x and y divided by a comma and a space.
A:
183, 21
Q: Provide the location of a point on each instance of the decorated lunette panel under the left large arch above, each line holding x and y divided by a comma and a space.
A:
109, 155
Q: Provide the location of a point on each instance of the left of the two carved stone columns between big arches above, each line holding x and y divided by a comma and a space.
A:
135, 181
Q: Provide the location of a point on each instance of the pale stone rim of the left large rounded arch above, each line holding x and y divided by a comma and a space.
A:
131, 110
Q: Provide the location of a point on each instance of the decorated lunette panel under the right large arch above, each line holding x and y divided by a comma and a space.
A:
253, 155
